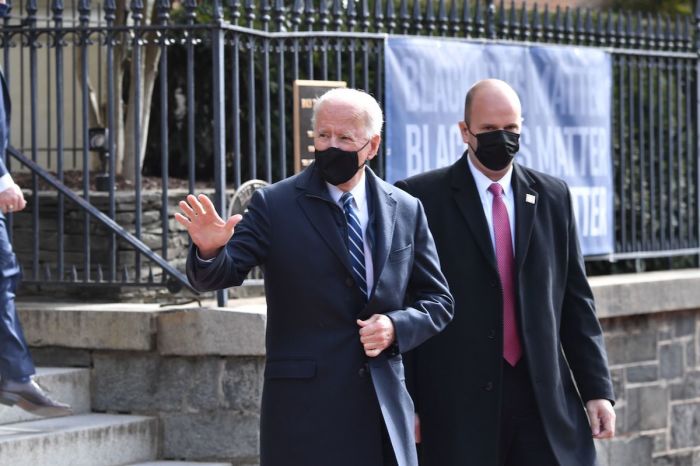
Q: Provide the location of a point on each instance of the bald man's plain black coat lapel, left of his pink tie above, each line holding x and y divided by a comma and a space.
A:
468, 201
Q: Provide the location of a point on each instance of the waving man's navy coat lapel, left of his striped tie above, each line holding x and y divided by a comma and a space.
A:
318, 207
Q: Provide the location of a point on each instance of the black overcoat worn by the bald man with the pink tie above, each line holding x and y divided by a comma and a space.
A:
455, 378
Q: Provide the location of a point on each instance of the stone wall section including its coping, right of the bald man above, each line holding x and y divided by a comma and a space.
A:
652, 334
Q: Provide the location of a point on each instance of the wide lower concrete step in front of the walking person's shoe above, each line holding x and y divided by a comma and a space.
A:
84, 440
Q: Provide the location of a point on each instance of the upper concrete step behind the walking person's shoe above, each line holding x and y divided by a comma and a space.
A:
67, 385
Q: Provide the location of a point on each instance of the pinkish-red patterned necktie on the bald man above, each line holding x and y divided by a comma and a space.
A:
512, 349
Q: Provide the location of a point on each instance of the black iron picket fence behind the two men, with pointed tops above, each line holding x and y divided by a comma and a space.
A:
197, 95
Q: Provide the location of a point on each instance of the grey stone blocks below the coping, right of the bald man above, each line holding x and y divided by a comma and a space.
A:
653, 360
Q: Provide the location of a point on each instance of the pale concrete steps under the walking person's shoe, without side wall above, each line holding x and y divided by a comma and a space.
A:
82, 439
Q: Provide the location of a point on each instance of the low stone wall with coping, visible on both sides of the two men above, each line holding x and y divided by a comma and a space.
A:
200, 371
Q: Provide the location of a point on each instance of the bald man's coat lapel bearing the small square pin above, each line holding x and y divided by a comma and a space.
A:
525, 208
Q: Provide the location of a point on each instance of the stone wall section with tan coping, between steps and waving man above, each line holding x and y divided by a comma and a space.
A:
198, 371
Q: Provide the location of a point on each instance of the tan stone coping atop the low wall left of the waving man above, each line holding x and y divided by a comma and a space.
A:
140, 327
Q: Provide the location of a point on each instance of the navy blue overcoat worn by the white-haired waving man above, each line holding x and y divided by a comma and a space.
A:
323, 401
